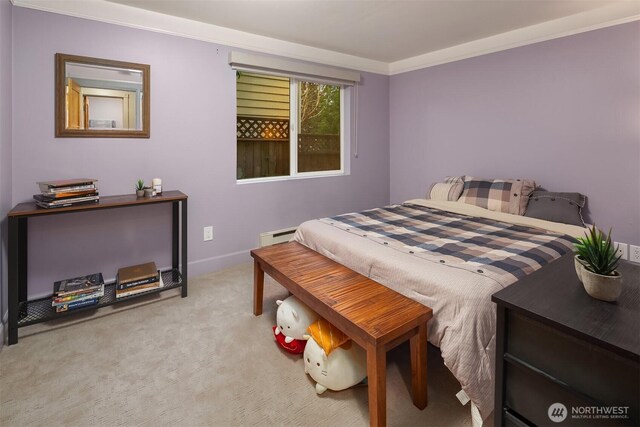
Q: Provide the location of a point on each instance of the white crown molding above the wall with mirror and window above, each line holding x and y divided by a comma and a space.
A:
119, 14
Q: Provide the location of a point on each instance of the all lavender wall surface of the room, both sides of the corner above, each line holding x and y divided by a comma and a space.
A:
554, 111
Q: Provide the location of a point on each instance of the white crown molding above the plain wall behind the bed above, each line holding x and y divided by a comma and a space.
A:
617, 13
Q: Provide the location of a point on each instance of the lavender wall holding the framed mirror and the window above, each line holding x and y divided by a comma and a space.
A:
192, 148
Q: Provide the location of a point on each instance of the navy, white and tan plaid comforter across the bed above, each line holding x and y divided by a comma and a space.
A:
501, 251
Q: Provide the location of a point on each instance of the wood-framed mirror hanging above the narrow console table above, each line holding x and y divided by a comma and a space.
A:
101, 98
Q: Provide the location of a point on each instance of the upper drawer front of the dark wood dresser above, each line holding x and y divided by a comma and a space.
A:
600, 374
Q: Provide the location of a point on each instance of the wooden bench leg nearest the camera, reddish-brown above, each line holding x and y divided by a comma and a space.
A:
377, 373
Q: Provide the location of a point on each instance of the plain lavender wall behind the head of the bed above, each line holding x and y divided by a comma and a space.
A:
563, 112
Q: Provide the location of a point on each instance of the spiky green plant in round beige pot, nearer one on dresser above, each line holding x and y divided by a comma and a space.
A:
596, 263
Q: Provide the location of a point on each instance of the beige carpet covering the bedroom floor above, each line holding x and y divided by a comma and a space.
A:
202, 360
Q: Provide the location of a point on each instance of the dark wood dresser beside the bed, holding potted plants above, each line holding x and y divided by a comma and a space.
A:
556, 344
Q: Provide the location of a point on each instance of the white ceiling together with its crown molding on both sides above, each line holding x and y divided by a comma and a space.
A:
381, 36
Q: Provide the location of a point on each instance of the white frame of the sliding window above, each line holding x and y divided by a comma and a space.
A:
345, 129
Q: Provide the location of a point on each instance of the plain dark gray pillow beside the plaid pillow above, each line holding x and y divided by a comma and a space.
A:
557, 207
